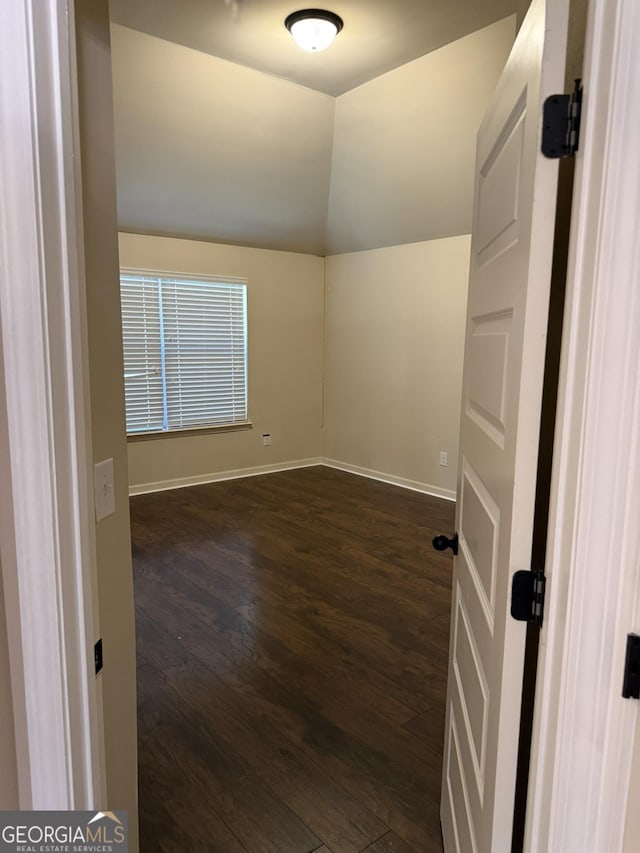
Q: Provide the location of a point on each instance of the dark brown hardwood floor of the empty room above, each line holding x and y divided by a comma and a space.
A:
292, 655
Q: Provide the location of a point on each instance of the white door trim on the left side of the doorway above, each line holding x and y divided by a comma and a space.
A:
47, 530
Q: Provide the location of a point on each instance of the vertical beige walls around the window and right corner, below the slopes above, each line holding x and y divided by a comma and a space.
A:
393, 348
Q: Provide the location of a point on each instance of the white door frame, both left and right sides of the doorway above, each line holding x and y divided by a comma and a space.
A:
580, 755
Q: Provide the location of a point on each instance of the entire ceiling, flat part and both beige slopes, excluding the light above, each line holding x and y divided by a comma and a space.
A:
226, 131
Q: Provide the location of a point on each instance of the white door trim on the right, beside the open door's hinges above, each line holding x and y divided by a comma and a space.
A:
583, 729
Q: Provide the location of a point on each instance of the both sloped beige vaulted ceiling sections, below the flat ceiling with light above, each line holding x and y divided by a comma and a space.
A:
209, 149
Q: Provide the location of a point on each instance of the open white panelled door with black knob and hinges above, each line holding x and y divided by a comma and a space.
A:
504, 360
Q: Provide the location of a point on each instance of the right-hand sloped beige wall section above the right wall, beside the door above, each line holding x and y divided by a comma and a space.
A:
404, 145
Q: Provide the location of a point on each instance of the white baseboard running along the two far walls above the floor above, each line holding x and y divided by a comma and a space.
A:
202, 479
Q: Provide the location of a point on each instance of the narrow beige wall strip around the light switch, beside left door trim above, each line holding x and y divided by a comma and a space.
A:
115, 588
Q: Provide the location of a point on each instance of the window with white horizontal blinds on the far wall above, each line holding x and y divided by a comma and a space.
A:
185, 351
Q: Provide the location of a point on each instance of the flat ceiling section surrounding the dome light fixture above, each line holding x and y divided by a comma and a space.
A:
378, 35
